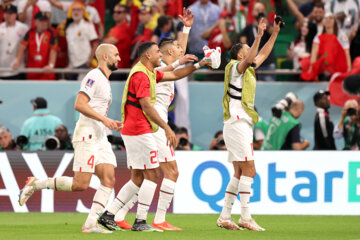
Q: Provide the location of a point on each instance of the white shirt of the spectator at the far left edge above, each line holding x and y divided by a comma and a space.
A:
10, 39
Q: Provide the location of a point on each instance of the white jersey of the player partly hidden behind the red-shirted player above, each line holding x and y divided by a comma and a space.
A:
164, 96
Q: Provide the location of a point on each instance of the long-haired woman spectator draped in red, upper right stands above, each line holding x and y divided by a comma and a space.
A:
329, 53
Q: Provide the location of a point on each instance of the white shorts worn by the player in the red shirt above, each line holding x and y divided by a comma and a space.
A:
141, 151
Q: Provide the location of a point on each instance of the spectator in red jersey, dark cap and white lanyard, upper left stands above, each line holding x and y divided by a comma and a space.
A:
41, 45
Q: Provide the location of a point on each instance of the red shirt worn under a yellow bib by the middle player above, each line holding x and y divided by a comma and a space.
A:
135, 121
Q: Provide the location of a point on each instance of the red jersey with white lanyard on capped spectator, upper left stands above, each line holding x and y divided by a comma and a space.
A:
39, 46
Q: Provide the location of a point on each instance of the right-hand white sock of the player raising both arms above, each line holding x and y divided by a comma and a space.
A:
244, 191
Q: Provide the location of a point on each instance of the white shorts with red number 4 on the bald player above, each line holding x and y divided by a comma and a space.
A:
88, 154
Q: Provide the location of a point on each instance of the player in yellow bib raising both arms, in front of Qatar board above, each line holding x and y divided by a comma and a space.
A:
239, 118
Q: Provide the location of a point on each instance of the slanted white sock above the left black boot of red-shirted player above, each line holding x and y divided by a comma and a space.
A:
124, 195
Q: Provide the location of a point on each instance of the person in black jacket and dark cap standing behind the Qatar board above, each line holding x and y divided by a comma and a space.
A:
323, 126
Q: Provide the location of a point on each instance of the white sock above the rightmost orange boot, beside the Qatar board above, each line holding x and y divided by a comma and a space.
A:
165, 197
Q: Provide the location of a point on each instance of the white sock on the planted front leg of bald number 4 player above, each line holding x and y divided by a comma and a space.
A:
99, 202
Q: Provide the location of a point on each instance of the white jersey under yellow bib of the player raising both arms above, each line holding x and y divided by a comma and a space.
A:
236, 109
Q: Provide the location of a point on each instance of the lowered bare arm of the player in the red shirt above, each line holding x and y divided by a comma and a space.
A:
155, 117
